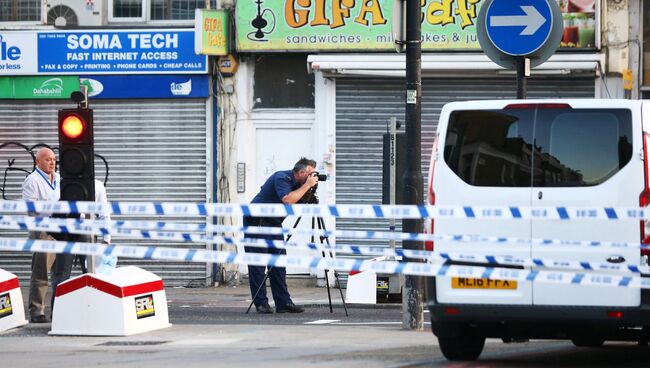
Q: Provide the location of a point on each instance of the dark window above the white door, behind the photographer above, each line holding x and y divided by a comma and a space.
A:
282, 81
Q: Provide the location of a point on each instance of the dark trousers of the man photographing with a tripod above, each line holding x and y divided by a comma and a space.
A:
277, 275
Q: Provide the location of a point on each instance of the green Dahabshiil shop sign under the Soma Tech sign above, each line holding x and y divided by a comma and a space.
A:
49, 87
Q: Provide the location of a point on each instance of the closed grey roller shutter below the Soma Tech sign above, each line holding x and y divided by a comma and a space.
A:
156, 151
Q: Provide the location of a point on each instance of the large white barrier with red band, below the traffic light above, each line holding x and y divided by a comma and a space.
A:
129, 301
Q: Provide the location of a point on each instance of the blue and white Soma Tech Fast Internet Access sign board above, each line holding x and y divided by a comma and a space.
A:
106, 52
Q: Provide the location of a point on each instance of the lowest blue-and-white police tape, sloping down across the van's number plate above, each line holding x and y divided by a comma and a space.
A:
323, 263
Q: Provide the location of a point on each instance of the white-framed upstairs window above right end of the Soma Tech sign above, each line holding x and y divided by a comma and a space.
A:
143, 10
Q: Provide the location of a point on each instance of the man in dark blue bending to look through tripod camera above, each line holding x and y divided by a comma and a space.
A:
282, 187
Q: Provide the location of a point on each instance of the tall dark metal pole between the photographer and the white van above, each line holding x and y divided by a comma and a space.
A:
413, 292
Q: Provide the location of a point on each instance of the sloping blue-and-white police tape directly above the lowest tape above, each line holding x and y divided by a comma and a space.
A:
434, 257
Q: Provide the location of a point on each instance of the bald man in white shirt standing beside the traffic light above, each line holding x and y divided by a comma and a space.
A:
41, 185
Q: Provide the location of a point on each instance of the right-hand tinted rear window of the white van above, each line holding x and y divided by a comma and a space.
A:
581, 147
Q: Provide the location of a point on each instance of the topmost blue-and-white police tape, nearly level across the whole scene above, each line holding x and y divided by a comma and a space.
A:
320, 210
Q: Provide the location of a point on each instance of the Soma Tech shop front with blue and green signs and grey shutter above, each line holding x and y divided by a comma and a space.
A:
152, 116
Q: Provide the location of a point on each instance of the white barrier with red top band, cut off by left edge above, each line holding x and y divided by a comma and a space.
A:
12, 311
